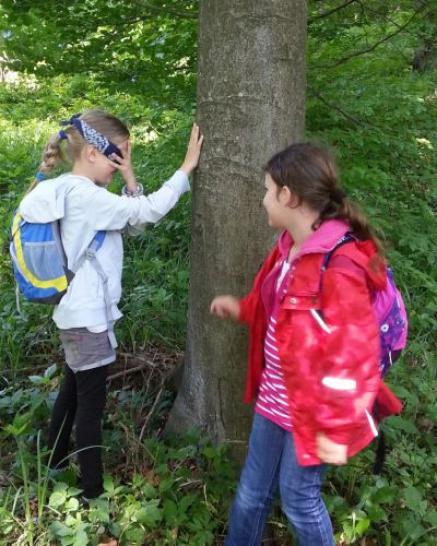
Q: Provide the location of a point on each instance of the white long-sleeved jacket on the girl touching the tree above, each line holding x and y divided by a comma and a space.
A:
83, 209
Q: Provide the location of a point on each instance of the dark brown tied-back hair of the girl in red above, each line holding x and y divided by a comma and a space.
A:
310, 172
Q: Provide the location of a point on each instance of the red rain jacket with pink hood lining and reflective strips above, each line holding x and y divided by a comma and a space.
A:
328, 340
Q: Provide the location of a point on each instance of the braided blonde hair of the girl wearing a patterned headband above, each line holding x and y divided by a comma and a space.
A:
54, 154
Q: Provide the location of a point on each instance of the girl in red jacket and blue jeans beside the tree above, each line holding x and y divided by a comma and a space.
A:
314, 350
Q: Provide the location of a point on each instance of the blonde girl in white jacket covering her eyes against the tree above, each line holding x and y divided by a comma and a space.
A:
98, 145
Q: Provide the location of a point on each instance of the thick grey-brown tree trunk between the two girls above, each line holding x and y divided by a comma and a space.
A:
250, 104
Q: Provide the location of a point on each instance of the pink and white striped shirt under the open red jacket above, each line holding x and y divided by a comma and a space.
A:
272, 401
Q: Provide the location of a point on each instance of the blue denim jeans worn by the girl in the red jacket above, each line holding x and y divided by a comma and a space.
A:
271, 464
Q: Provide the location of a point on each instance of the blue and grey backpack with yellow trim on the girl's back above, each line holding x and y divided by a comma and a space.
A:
39, 261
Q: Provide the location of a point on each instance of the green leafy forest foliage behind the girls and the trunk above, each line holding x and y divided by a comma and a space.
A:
138, 60
